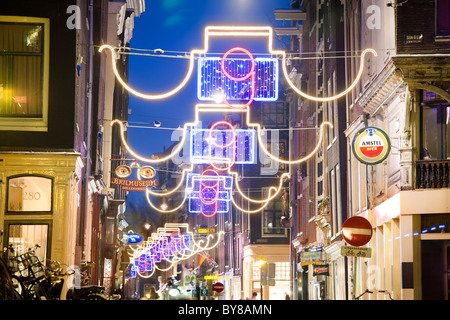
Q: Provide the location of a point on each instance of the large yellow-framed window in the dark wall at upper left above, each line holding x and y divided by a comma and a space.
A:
24, 63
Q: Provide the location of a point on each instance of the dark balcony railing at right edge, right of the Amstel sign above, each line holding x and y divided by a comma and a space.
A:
432, 174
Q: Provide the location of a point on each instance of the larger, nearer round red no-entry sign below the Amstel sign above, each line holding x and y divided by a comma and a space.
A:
357, 231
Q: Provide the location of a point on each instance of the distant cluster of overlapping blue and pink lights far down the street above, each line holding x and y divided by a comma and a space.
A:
166, 247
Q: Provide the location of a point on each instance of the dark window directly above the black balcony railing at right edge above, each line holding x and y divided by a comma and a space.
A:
435, 131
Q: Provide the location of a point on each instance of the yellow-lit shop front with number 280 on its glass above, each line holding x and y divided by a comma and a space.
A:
39, 203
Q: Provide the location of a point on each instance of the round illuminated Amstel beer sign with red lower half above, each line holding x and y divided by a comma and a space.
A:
371, 145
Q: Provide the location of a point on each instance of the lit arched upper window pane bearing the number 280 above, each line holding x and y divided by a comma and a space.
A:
29, 194
